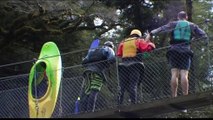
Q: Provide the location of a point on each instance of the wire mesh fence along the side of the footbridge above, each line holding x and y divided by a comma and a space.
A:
154, 83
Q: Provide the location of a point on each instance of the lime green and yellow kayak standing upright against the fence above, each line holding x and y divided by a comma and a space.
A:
44, 82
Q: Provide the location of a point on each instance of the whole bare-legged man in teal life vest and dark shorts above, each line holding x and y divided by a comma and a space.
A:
179, 55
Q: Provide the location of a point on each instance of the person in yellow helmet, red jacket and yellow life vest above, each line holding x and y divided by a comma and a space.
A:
131, 67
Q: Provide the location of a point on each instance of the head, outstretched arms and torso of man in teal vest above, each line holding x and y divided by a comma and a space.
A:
181, 30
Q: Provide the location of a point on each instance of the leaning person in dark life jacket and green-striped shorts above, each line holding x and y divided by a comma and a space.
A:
95, 75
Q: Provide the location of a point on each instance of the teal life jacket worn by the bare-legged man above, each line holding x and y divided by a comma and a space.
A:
182, 31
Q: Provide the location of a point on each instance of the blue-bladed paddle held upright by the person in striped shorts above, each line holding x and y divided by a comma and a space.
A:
94, 44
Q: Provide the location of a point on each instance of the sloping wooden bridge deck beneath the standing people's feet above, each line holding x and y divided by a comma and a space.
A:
148, 110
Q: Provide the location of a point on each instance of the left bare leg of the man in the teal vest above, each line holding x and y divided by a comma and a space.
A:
174, 81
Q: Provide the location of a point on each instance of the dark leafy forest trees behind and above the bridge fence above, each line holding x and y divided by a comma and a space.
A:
25, 25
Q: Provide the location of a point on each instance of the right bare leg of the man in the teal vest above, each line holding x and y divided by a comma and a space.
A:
184, 81
